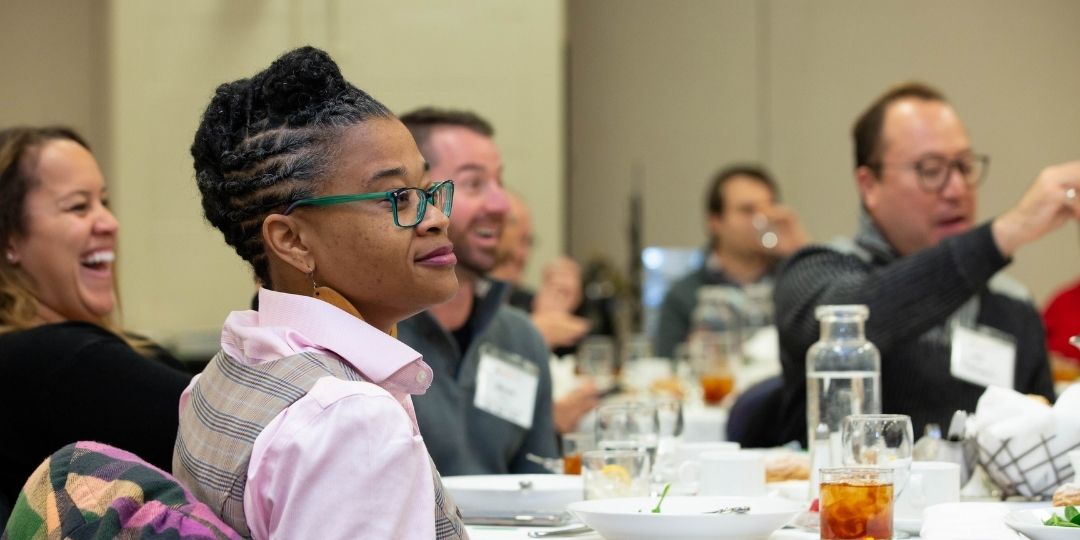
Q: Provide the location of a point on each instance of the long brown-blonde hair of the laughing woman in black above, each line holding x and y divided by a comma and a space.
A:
19, 148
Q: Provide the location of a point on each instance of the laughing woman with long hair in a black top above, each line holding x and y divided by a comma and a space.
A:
67, 373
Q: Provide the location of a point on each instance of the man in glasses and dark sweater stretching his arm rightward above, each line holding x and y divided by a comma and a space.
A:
947, 322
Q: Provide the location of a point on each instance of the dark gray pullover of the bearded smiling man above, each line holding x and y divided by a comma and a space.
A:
463, 439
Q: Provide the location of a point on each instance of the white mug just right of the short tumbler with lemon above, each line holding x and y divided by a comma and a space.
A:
726, 472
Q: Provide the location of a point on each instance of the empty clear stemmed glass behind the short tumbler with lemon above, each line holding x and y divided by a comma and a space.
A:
628, 426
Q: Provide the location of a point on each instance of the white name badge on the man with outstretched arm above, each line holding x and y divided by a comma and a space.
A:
983, 357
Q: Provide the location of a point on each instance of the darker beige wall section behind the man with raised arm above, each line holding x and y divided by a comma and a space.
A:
683, 87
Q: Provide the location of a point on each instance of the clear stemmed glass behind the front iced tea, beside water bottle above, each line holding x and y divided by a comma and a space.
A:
880, 441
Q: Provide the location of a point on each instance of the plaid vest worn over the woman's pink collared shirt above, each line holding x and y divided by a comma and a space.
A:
233, 403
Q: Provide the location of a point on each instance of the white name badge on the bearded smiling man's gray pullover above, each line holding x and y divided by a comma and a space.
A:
507, 386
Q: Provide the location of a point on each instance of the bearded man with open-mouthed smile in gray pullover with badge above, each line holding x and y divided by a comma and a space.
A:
490, 404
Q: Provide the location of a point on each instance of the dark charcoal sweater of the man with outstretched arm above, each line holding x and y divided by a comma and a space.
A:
913, 301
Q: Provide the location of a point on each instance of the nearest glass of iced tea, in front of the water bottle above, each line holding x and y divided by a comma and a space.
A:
856, 504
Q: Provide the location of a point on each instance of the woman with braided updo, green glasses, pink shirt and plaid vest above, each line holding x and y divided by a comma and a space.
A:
303, 426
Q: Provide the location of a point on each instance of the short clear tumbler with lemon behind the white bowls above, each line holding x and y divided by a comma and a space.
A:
615, 474
